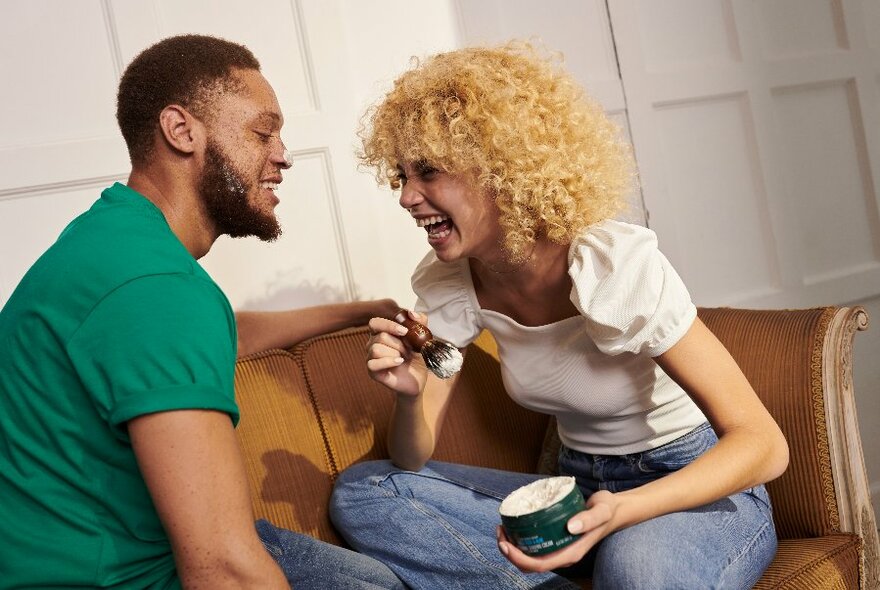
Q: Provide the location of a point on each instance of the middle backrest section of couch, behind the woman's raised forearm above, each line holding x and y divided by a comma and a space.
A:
481, 426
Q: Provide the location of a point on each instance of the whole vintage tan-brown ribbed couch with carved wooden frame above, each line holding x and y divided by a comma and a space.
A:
310, 412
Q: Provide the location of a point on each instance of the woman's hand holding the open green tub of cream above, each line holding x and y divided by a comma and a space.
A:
595, 523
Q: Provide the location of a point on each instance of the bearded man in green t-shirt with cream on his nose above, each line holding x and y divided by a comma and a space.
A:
118, 460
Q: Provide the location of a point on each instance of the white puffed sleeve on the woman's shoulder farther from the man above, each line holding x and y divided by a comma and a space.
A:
629, 294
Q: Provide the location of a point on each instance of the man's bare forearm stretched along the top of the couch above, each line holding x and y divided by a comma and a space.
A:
262, 330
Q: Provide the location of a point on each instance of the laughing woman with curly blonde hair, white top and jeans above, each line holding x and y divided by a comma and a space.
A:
516, 175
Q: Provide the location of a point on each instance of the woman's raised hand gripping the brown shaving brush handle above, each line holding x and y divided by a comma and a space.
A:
390, 361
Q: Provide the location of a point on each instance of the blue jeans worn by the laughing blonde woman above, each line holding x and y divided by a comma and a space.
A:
436, 527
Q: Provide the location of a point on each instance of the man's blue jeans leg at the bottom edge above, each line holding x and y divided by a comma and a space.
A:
311, 564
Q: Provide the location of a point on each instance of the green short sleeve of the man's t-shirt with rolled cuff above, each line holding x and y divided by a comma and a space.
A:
158, 343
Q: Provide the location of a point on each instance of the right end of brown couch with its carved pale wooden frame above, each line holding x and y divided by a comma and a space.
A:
800, 364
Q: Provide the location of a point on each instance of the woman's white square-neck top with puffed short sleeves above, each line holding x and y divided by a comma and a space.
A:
594, 371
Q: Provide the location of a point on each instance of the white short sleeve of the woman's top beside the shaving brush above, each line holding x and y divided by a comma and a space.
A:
443, 295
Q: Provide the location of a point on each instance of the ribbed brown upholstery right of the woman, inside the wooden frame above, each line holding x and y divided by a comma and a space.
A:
786, 372
